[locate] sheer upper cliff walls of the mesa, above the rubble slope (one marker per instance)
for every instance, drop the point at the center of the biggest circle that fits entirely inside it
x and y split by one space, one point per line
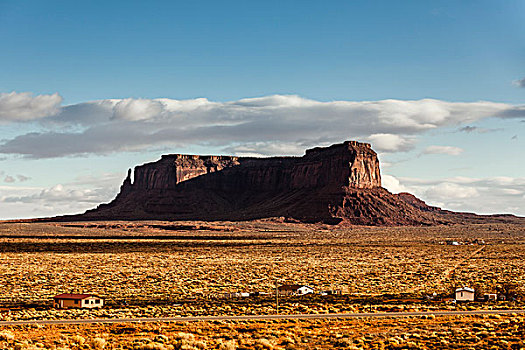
349 164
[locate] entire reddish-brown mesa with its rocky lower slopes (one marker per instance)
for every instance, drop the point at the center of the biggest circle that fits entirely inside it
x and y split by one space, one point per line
340 183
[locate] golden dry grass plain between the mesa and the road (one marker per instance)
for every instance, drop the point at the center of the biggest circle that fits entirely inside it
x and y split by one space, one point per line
161 264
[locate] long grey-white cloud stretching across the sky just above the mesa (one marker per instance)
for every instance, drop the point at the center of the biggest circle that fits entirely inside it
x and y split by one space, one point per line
254 125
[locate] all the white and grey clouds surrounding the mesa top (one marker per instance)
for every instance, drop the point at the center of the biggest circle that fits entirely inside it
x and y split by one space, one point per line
270 125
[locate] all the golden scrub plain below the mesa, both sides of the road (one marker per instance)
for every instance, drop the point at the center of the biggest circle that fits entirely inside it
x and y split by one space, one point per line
149 269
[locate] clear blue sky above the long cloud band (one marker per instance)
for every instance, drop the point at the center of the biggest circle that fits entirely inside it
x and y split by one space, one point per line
364 50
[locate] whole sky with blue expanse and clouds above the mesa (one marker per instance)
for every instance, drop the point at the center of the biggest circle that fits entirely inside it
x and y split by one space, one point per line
90 89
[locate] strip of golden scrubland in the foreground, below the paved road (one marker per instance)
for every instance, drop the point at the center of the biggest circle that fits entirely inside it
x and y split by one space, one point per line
431 332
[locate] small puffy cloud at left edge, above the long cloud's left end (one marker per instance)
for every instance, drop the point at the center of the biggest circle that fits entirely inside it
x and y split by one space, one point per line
24 106
